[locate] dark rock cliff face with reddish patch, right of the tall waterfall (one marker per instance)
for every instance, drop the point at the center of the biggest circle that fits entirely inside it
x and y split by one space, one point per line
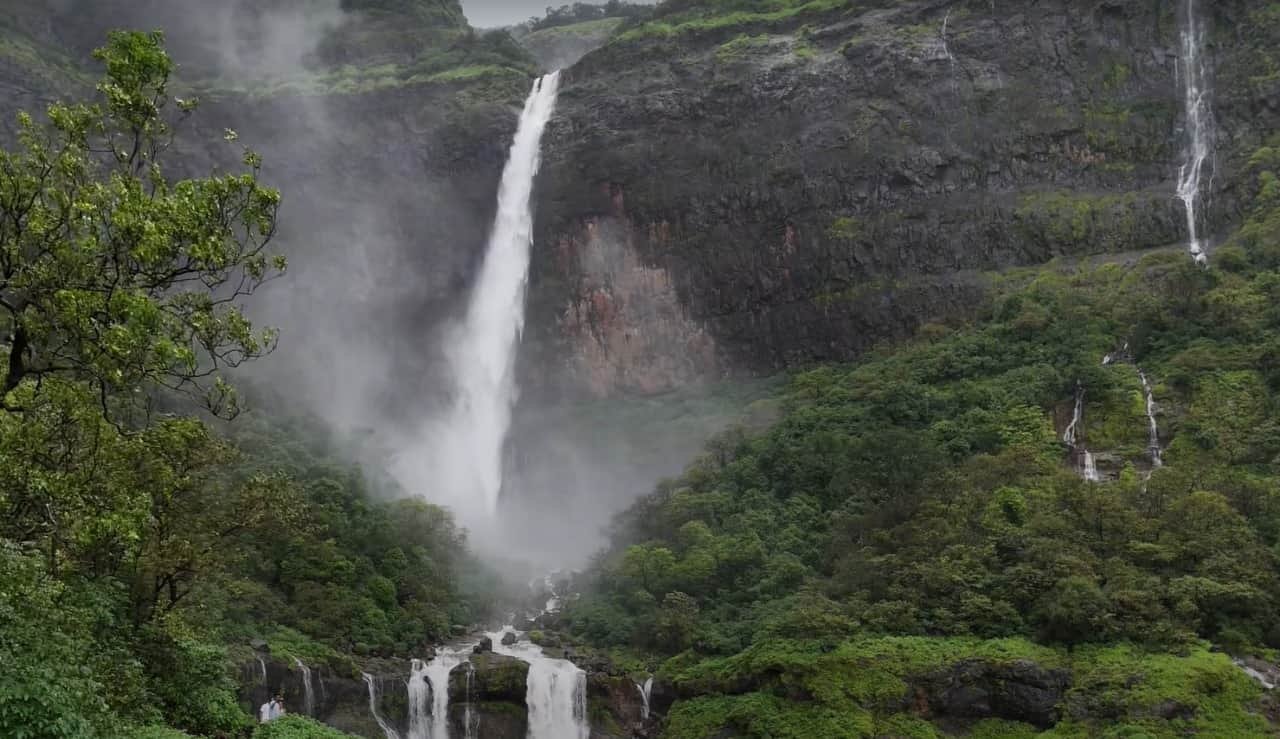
767 190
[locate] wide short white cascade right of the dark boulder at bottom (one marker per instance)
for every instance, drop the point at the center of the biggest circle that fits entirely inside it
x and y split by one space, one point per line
556 692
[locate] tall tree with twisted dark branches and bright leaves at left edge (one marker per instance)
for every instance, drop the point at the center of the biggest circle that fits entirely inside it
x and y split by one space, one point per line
113 276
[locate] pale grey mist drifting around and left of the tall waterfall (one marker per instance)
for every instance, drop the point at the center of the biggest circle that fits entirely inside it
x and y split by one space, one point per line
385 231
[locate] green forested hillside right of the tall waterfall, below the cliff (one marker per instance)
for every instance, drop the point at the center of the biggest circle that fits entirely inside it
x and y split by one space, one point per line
916 512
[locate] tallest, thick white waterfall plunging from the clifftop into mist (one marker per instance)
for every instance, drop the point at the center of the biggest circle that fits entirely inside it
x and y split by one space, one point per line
482 353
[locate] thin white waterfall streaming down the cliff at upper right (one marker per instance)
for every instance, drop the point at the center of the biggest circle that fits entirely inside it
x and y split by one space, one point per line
1200 124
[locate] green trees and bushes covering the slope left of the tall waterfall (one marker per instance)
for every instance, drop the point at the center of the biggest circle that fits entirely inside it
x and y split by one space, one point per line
144 537
